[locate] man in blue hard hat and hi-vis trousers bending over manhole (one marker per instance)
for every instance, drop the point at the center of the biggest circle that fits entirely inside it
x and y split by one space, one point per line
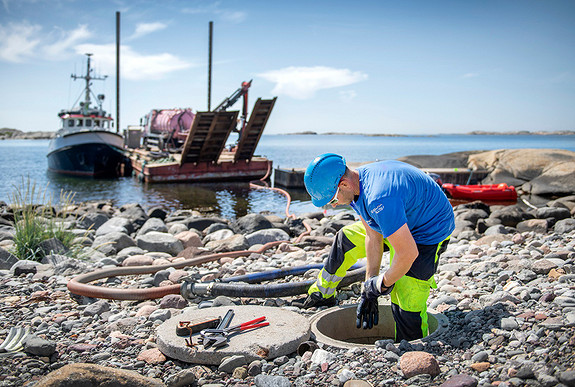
400 208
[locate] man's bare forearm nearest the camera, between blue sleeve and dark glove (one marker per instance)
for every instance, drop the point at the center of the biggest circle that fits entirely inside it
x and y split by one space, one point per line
405 254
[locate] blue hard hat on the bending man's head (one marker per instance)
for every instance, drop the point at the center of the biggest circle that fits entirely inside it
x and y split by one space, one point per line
322 177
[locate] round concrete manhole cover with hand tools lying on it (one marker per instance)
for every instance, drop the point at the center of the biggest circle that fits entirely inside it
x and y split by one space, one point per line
287 330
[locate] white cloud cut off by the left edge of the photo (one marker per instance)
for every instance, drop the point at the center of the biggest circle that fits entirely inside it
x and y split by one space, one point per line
18 41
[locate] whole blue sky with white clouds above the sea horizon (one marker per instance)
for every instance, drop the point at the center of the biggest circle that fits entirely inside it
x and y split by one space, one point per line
381 66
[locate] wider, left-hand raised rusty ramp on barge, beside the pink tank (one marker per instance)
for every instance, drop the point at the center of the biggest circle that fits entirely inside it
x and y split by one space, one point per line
207 137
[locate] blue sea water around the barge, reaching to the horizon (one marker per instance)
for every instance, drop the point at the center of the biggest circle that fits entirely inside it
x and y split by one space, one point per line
25 160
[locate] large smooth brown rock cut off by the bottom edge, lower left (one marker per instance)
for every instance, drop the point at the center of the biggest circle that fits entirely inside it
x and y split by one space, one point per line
80 374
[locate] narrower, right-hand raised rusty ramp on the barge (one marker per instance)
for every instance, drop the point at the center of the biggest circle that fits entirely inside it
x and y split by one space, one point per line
250 136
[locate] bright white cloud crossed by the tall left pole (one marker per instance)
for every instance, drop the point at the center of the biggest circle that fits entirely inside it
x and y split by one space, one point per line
133 66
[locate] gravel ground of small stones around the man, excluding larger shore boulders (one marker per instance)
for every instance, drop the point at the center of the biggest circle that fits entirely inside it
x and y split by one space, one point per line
507 291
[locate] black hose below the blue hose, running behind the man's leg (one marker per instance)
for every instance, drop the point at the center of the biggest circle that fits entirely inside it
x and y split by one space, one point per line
191 290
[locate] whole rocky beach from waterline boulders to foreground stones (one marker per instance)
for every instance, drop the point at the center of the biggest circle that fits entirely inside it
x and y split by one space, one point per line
506 285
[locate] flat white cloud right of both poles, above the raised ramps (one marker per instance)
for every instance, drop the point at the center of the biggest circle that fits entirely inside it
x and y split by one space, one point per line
304 82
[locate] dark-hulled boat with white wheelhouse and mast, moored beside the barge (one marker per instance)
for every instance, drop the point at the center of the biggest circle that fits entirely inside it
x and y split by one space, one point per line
86 144
